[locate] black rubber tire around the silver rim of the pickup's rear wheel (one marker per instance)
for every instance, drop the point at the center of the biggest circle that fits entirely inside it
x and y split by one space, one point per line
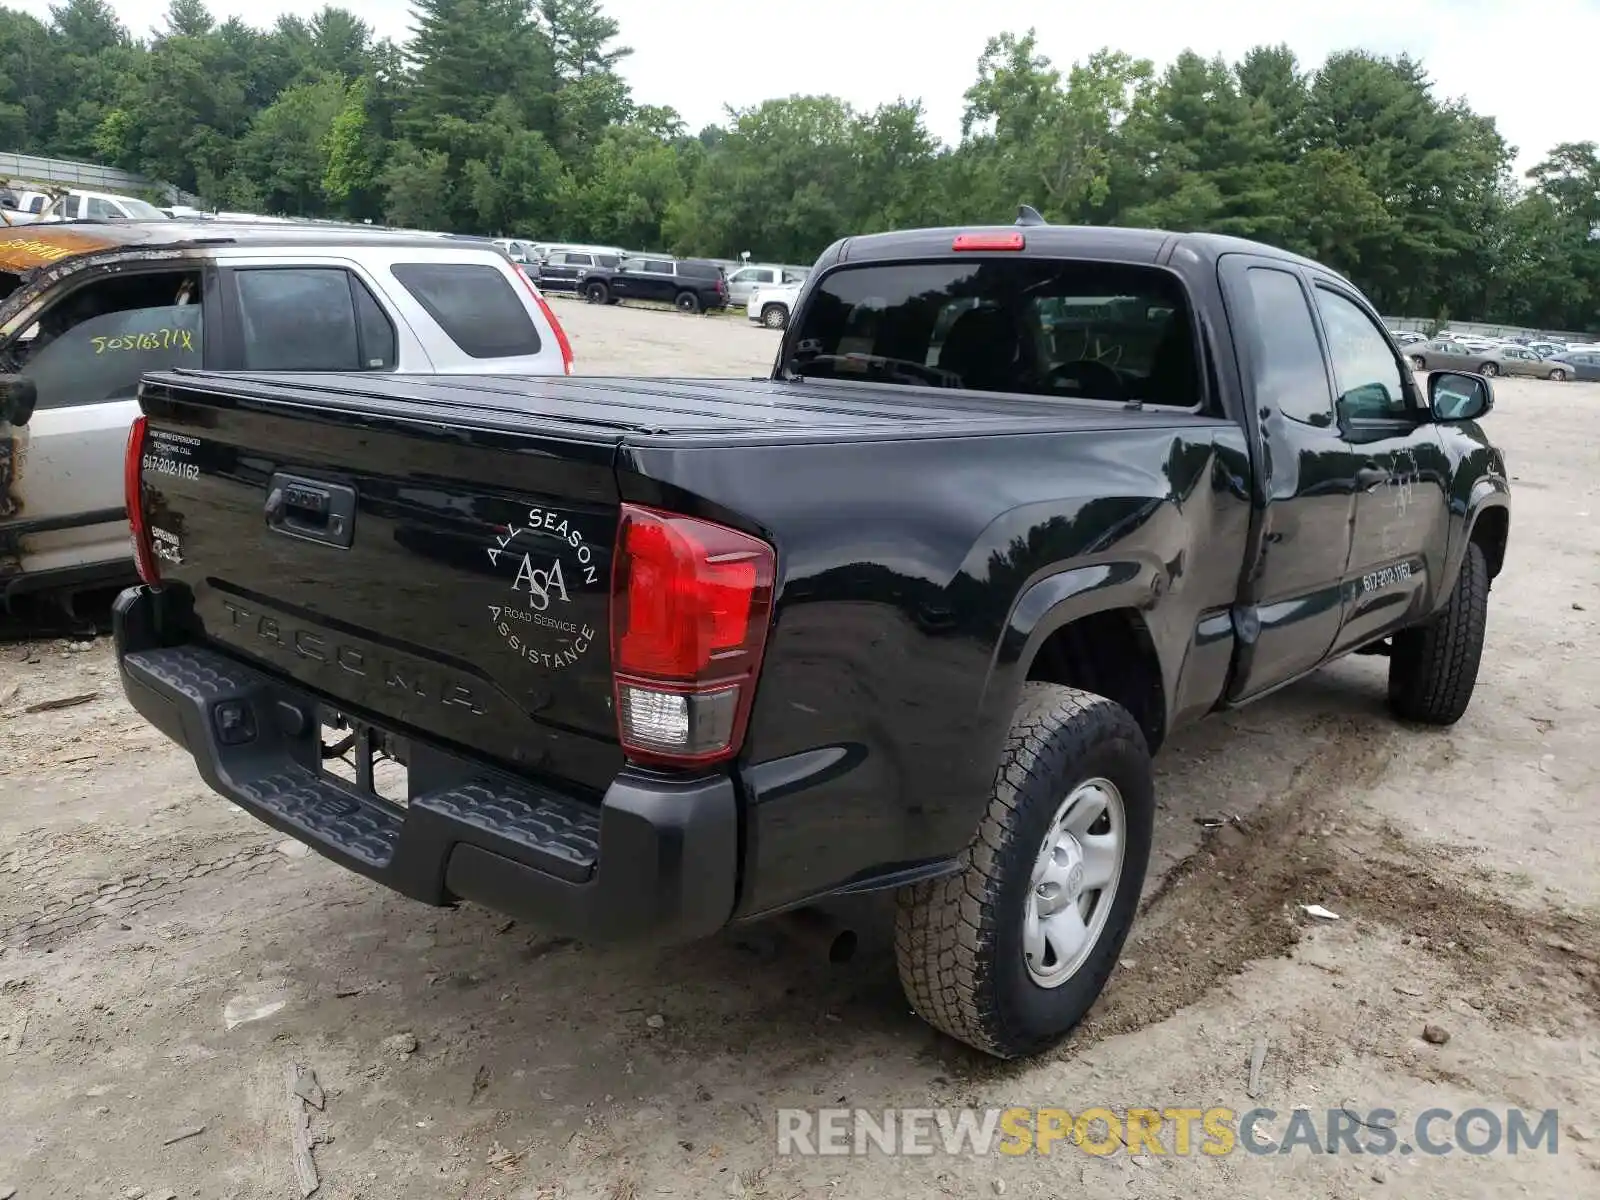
959 938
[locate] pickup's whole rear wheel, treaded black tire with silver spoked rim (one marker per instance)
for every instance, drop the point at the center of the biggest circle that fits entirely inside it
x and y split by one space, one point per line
1014 950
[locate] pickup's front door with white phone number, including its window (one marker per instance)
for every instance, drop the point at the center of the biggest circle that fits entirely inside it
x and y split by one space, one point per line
1401 473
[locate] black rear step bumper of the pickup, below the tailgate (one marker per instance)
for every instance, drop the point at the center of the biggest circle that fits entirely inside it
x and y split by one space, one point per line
657 860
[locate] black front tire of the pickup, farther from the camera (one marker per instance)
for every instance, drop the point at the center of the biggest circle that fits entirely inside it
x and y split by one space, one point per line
1434 668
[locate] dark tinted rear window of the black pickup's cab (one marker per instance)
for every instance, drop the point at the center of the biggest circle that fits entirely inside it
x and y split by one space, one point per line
1089 330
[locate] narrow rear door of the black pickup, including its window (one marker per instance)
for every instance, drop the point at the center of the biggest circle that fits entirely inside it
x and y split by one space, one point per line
1292 601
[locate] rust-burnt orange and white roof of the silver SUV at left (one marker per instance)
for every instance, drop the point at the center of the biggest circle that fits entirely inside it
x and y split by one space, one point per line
39 246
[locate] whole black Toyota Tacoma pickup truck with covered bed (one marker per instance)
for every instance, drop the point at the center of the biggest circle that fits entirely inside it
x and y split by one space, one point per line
642 658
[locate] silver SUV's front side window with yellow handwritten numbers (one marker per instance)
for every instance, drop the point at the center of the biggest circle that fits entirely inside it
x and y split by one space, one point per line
95 345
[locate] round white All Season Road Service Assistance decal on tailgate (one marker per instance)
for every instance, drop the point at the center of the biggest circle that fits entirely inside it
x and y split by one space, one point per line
548 561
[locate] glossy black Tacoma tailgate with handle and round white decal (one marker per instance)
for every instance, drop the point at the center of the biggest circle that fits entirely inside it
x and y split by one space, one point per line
431 577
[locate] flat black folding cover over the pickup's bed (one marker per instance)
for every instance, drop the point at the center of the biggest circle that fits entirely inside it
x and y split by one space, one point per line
607 409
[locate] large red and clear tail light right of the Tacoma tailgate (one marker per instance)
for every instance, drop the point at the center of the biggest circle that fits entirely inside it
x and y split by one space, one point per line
690 607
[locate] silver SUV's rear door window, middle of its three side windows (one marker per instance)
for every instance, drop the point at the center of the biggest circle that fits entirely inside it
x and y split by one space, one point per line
311 319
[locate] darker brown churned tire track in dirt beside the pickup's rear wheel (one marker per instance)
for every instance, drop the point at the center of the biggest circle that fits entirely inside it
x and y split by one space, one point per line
1234 902
